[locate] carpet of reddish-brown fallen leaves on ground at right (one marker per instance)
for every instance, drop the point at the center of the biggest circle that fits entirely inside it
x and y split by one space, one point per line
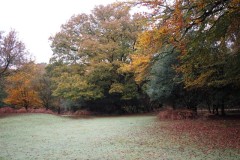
210 134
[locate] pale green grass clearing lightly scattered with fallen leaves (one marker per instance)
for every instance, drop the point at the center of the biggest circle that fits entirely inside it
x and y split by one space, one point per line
43 136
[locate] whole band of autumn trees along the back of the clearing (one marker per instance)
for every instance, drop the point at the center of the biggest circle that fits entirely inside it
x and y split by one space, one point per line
181 54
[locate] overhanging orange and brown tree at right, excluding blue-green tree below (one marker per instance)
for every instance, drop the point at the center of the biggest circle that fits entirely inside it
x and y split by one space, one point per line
206 33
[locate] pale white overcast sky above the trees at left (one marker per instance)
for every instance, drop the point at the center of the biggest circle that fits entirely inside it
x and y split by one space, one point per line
36 20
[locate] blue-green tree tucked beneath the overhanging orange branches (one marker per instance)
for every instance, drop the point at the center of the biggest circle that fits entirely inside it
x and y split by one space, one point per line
162 84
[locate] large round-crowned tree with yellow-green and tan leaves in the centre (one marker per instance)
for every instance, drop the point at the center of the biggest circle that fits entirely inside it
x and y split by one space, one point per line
97 44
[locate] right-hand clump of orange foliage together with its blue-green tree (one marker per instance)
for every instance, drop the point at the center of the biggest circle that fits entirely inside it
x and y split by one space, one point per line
203 37
